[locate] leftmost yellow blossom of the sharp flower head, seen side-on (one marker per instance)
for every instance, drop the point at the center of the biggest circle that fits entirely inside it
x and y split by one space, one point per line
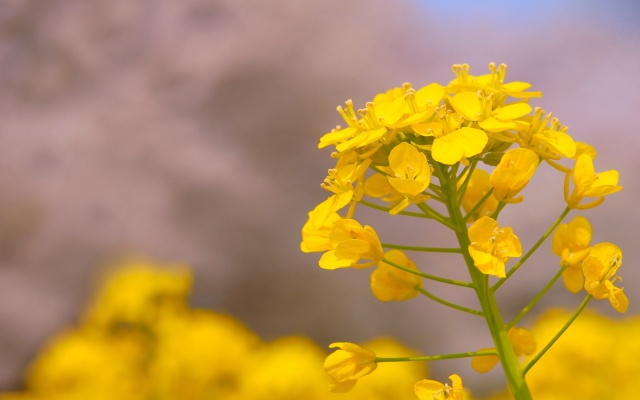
316 231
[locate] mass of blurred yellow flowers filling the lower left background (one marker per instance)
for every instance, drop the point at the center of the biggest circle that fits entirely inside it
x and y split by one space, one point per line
139 340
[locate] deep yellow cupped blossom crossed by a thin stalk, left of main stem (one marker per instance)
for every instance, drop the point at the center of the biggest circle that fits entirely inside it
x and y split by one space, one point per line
389 283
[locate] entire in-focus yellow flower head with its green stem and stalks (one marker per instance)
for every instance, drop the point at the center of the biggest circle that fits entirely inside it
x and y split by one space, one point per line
473 146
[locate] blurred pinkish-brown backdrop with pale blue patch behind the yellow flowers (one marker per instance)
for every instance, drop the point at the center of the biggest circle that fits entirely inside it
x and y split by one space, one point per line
187 131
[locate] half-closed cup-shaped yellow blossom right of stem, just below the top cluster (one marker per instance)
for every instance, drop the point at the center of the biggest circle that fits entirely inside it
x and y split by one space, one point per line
516 168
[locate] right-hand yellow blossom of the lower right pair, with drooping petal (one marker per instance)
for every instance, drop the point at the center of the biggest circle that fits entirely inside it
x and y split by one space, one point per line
599 268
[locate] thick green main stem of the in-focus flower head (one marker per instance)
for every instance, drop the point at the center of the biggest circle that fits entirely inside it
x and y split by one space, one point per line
497 327
